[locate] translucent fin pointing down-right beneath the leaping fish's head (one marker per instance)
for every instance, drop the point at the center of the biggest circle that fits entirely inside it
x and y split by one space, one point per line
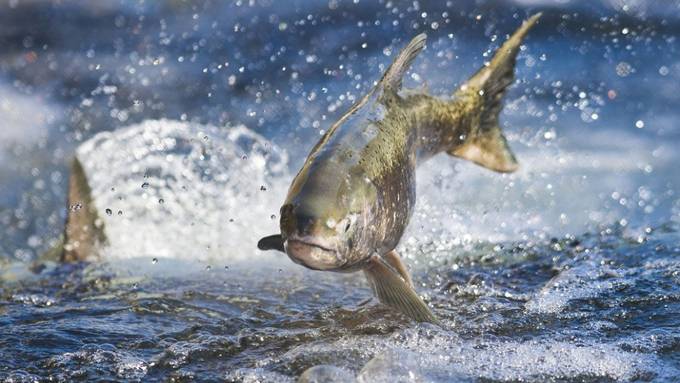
394 291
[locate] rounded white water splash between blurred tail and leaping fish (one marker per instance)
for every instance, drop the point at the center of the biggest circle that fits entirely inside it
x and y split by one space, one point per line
218 188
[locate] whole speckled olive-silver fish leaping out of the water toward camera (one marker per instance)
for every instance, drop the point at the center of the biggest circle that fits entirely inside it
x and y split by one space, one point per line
351 201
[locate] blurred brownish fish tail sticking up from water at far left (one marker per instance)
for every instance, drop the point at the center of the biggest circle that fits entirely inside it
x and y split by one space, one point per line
84 231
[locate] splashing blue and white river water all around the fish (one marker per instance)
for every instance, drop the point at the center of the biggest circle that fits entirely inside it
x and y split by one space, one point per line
190 119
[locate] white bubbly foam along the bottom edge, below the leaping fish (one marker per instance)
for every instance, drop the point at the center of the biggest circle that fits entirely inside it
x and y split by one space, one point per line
428 354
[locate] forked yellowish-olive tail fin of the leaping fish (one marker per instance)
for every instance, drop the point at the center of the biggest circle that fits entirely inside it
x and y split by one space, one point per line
487 146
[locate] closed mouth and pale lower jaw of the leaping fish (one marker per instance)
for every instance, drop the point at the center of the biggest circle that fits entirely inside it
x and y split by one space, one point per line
312 253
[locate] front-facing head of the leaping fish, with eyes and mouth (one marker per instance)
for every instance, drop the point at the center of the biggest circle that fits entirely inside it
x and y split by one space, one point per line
327 229
